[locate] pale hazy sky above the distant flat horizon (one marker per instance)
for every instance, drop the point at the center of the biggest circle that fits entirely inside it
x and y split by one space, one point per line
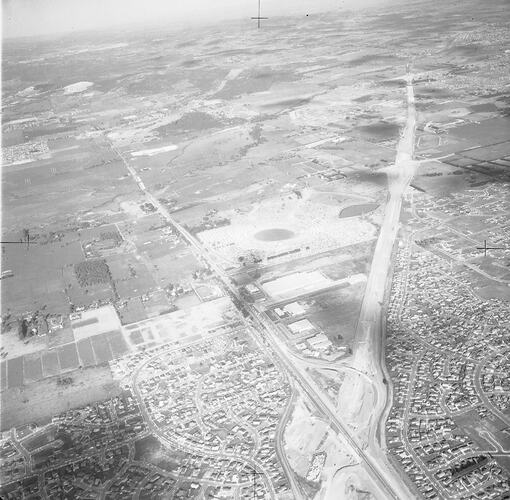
35 17
